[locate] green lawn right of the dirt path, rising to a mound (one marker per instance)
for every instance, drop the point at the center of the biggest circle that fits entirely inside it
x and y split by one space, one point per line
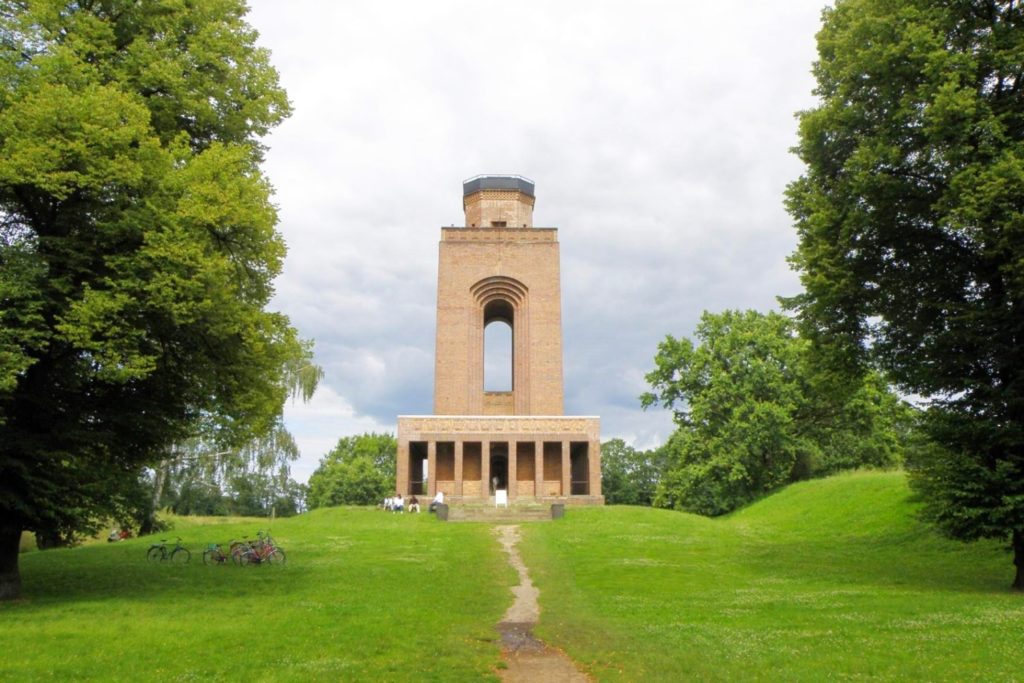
827 580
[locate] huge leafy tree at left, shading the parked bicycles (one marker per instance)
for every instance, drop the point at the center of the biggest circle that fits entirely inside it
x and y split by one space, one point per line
138 251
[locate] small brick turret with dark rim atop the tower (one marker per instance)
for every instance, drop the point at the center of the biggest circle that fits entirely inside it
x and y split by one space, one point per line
498 201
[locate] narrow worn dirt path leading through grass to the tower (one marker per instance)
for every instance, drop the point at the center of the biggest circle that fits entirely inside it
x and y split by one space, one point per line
528 658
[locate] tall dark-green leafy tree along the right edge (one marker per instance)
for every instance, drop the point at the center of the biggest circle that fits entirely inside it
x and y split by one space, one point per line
910 216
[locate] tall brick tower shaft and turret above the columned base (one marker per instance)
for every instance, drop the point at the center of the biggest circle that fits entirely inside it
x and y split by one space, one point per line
499 269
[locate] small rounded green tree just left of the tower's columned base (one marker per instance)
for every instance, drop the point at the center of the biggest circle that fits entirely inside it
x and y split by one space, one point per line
360 471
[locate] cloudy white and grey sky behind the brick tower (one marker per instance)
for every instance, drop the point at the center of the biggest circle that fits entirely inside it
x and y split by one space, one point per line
658 135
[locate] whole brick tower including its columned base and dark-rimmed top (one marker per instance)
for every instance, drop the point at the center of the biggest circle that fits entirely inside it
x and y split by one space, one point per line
511 445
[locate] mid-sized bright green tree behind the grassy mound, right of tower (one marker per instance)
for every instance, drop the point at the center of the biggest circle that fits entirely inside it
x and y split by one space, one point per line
753 416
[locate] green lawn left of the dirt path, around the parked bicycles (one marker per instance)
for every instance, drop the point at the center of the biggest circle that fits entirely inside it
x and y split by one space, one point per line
366 596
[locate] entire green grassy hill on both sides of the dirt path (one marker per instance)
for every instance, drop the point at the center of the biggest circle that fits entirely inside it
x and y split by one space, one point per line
830 579
